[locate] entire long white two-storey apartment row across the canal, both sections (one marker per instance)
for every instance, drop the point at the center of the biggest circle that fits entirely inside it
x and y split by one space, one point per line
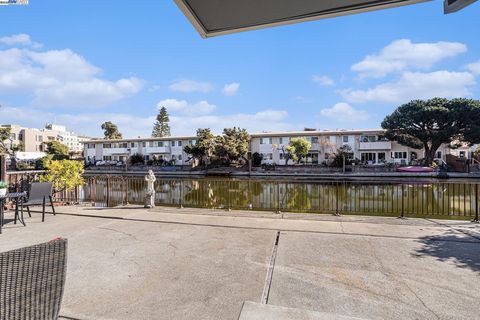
369 146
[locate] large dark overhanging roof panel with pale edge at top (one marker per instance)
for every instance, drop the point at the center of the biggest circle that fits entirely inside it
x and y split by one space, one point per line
213 17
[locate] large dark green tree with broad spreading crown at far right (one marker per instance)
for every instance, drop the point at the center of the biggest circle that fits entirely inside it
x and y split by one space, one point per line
428 124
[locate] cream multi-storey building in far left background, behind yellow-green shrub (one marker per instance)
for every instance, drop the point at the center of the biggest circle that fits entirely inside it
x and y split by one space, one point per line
33 140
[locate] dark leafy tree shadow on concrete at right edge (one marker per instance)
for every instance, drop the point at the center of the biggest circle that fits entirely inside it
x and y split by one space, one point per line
455 248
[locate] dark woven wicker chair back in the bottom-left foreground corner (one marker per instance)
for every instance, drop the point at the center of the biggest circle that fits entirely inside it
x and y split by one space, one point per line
32 281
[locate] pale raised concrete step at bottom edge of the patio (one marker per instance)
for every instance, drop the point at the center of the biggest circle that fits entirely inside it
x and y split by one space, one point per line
257 311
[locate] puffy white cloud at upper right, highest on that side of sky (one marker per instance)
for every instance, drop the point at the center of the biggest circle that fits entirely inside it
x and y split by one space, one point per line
403 55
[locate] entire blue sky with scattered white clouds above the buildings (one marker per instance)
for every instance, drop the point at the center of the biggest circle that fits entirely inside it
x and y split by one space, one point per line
81 63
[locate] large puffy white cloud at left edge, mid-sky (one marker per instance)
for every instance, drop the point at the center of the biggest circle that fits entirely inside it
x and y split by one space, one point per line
60 78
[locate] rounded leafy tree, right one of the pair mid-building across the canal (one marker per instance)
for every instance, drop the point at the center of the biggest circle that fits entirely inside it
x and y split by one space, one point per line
232 146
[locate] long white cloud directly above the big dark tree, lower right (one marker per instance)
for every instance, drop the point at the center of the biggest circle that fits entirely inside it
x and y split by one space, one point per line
415 85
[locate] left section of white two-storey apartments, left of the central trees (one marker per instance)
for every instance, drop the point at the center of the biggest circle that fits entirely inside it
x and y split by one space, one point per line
168 149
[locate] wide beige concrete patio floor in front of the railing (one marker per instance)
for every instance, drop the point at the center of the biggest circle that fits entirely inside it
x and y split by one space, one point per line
167 263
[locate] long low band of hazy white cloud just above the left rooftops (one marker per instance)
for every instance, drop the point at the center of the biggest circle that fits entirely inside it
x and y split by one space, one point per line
132 126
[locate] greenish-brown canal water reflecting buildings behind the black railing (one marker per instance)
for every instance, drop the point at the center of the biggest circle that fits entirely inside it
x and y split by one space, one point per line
411 198
